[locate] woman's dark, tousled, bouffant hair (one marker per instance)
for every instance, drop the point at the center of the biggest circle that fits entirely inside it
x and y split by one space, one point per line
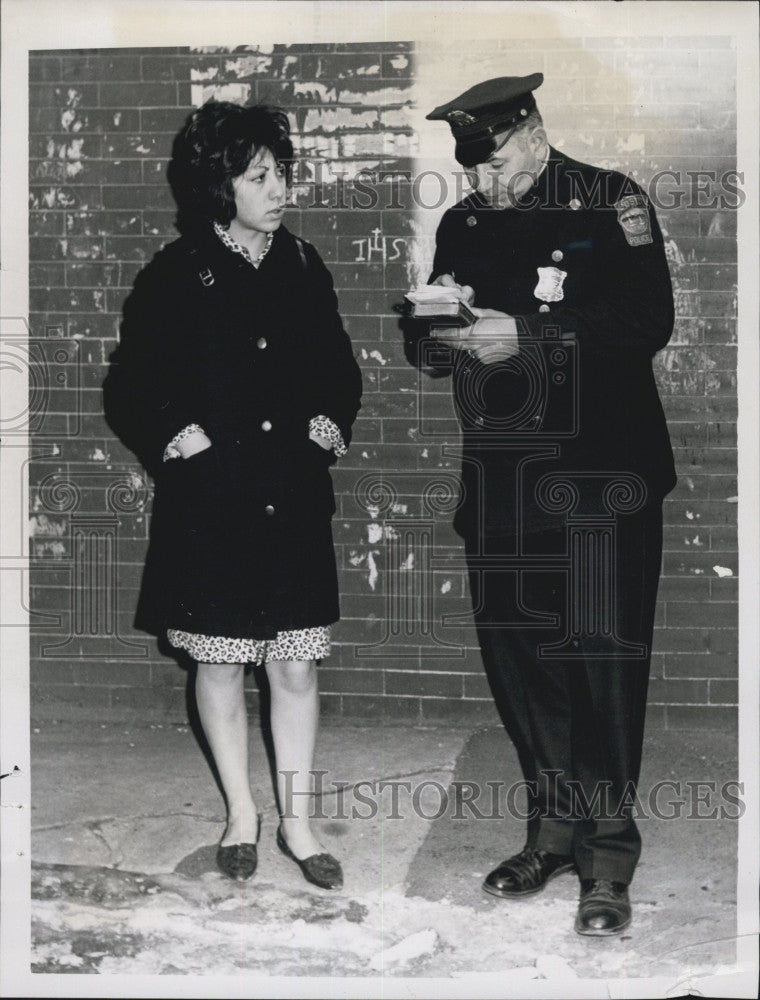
216 144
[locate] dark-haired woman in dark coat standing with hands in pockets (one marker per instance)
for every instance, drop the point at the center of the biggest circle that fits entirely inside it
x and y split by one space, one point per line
235 384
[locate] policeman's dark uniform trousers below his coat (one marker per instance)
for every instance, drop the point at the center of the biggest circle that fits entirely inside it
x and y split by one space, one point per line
576 717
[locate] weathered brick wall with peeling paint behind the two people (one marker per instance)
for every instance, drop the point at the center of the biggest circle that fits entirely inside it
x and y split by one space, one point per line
101 127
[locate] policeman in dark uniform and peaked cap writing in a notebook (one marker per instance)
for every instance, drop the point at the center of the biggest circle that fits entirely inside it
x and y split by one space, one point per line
566 460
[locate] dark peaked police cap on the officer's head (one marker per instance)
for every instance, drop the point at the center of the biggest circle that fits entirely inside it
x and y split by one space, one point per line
486 110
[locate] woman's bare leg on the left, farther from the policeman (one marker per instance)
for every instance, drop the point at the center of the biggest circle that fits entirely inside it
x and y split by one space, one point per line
221 706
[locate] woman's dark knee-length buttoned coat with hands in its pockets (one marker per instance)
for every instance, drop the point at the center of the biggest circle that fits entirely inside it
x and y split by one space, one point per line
240 541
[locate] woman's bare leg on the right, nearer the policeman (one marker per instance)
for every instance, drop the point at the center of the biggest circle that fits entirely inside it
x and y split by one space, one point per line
294 718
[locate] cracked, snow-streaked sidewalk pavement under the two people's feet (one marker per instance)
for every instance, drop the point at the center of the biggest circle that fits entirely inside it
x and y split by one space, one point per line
125 823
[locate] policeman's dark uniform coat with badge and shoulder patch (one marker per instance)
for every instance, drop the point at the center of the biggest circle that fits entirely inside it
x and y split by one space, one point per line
592 404
